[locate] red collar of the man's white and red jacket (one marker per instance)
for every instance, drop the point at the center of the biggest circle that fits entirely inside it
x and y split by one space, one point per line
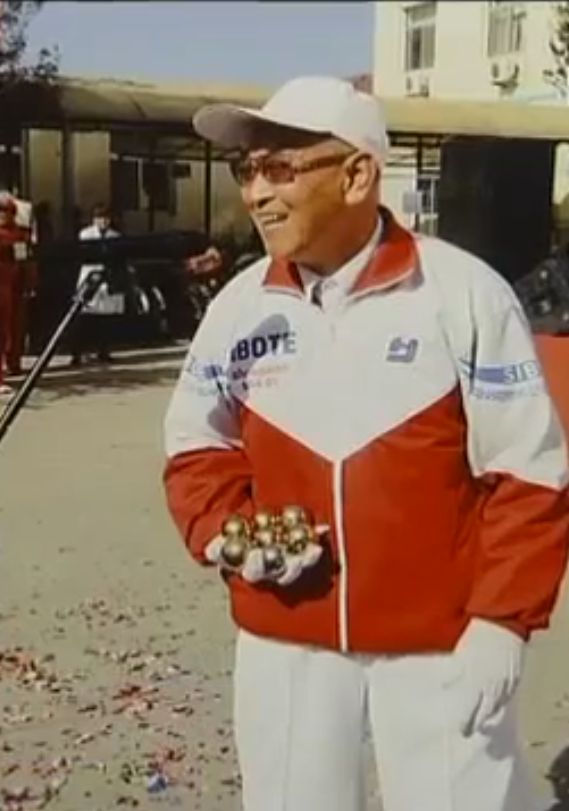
394 259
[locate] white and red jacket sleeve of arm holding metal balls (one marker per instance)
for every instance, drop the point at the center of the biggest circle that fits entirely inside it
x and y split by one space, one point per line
207 475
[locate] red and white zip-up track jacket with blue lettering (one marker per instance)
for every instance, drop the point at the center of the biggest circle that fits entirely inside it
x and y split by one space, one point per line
415 422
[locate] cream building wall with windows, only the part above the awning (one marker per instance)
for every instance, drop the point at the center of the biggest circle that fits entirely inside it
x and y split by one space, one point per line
475 50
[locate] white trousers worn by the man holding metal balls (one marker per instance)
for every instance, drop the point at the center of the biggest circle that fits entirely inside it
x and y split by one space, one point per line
300 720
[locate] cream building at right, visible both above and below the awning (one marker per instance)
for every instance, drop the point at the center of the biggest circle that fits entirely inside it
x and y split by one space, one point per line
479 51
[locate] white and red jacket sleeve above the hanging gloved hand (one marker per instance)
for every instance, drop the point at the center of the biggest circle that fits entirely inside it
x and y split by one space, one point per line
516 447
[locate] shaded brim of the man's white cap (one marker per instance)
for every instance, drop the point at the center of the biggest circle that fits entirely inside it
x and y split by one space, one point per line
231 127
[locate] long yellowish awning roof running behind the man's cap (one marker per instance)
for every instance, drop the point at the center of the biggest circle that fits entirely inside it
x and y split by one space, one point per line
104 103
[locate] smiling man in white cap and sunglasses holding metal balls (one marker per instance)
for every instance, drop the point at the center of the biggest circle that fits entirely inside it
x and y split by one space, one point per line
388 383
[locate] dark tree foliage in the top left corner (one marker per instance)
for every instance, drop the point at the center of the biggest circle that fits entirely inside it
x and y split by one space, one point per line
15 16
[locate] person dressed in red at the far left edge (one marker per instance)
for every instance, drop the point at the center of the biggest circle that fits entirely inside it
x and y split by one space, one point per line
13 252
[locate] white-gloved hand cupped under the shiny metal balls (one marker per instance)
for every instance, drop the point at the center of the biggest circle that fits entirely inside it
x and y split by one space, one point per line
254 569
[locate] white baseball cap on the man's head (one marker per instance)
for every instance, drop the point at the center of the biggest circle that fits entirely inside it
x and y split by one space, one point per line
319 104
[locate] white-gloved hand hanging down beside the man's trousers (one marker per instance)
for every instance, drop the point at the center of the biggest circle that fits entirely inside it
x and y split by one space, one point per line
491 659
